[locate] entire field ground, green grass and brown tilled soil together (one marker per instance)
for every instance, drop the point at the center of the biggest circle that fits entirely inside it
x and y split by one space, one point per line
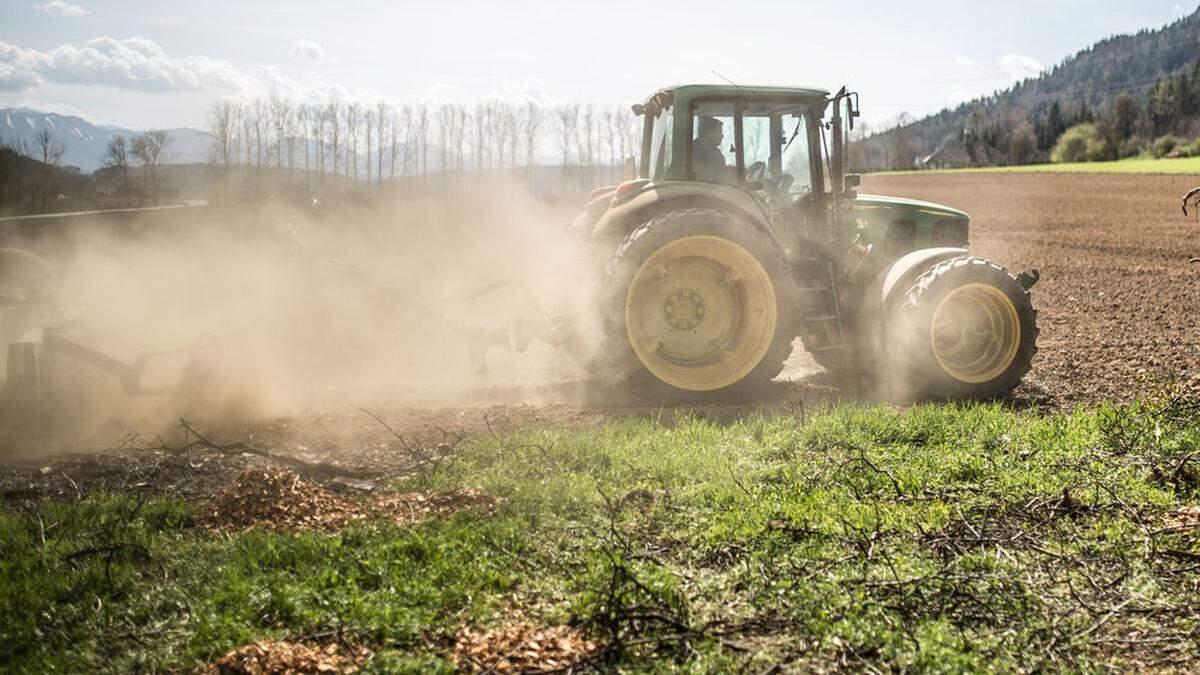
538 529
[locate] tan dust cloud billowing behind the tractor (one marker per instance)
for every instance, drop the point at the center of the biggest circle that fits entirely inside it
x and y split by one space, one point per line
280 309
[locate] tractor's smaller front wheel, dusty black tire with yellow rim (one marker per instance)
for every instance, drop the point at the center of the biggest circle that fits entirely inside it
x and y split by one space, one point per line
965 330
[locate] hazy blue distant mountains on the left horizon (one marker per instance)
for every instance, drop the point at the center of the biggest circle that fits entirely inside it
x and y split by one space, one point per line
86 141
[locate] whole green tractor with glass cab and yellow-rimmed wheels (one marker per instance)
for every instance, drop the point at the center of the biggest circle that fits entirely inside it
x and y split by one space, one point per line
743 231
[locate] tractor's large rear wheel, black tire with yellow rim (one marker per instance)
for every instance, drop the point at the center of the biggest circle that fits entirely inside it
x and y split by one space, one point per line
700 307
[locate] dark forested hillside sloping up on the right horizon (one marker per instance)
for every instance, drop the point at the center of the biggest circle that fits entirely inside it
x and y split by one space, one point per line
1081 89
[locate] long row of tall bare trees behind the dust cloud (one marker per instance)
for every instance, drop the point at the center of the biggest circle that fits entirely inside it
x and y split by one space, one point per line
337 147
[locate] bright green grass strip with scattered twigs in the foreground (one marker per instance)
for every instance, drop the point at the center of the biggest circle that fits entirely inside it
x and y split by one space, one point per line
939 539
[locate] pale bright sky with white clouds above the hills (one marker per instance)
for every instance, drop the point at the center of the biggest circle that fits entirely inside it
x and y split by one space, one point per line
163 63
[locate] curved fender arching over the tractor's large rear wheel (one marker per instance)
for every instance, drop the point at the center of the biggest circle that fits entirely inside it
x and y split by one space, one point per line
659 199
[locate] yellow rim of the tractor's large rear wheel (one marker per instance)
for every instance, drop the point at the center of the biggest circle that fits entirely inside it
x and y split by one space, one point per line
700 314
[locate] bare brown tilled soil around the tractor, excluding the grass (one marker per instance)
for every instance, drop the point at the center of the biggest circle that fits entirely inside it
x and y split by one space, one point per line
1118 312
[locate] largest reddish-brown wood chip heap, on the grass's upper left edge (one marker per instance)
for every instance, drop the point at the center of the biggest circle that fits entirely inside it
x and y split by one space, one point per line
284 501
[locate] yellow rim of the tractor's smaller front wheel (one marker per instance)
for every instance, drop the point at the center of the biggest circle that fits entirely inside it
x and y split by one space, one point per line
976 333
